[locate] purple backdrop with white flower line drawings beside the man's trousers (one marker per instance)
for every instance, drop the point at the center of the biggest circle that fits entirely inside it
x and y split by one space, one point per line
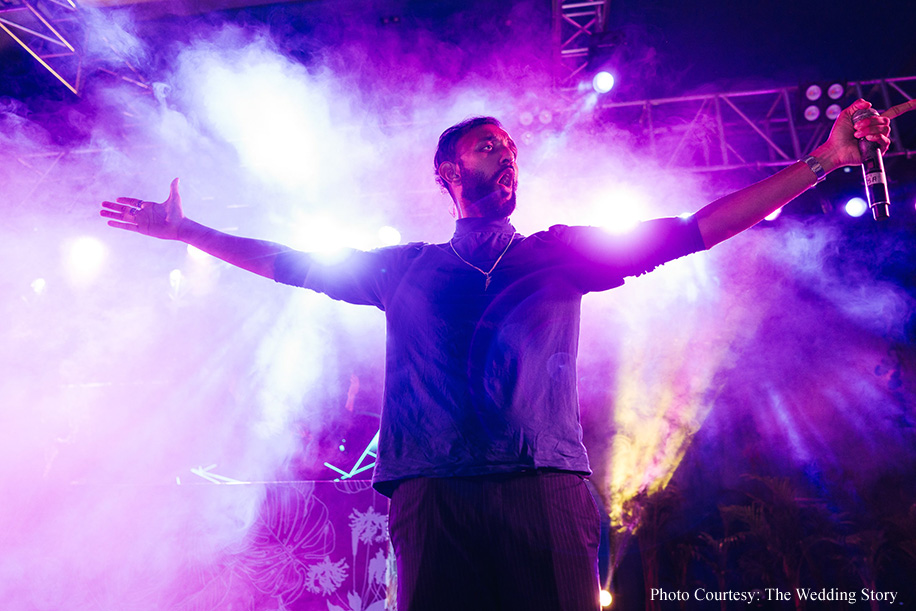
314 546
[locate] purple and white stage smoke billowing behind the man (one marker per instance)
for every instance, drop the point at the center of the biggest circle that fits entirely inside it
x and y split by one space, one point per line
133 368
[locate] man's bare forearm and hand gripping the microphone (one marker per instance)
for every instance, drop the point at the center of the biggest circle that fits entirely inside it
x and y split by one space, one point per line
738 211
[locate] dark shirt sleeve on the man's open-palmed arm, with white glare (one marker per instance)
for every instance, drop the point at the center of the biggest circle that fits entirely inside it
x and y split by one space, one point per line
354 276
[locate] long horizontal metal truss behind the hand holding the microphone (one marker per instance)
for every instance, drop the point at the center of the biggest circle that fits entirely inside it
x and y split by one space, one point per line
747 129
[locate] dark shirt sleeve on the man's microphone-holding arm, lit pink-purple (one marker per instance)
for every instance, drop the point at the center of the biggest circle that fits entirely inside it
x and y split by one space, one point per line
648 245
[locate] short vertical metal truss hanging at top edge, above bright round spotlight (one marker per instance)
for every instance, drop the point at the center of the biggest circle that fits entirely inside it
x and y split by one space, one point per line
575 23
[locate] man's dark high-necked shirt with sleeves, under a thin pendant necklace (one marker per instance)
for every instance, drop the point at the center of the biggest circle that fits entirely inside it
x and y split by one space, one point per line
484 381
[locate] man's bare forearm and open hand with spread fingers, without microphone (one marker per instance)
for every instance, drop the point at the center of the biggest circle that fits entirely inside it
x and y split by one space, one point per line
167 221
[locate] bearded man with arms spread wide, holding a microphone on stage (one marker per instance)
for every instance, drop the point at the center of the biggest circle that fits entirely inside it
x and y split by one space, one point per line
481 448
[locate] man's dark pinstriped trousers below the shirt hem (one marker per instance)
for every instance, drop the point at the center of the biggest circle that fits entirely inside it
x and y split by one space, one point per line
526 542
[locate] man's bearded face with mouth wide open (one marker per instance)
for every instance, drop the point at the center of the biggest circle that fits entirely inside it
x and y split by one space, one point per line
489 174
